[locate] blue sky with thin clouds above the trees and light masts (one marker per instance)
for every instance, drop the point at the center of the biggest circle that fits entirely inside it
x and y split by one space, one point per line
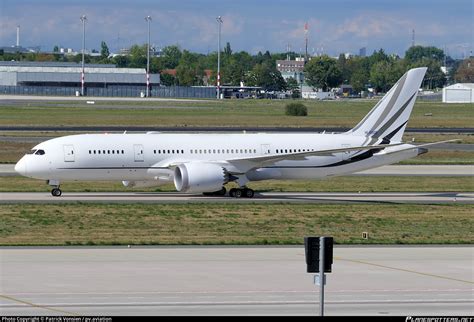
334 27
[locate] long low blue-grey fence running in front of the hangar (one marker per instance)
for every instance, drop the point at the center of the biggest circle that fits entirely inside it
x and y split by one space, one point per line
112 91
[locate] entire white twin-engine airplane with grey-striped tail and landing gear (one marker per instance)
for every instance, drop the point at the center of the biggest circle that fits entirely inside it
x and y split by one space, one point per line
206 162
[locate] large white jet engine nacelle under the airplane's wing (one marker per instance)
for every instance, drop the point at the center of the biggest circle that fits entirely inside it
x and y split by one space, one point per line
197 177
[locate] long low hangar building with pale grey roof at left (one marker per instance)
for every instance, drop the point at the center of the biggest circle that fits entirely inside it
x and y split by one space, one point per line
64 78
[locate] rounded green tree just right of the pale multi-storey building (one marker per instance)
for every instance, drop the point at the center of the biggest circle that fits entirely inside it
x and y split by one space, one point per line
322 72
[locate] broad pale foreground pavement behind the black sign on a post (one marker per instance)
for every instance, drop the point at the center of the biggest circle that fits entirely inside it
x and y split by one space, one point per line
234 281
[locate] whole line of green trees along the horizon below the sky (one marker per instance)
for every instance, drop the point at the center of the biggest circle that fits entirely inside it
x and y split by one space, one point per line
379 70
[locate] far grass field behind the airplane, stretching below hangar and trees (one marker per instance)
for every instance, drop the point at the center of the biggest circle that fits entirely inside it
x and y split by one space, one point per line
249 113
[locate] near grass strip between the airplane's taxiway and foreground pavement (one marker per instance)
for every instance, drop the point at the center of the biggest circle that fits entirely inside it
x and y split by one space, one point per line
232 224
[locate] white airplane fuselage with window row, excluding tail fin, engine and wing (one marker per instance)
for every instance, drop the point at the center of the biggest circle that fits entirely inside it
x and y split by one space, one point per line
143 157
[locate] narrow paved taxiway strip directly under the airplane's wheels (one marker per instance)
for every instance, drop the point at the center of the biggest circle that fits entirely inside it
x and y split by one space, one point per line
264 197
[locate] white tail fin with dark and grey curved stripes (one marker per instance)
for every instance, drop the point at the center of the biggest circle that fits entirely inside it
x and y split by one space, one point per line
388 119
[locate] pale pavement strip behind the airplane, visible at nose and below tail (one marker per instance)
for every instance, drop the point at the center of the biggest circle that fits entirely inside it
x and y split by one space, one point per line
389 170
